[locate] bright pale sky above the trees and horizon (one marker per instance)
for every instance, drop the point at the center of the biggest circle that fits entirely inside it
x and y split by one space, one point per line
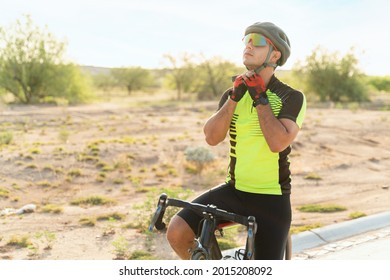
126 33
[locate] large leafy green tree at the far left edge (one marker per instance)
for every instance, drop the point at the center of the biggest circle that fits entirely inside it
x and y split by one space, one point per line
32 66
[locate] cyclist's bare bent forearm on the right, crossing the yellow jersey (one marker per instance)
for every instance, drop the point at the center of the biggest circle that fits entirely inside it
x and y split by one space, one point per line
279 134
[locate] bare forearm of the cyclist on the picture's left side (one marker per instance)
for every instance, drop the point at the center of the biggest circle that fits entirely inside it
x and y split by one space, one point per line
217 126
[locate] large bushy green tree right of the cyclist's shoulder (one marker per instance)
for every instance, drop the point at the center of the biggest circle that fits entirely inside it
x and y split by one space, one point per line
333 78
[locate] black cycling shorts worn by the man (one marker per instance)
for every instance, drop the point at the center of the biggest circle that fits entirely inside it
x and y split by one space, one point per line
272 212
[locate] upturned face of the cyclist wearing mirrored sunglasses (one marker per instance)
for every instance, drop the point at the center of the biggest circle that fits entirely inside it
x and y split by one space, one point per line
256 51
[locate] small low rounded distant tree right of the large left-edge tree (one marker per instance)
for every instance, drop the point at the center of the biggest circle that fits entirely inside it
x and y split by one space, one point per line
133 78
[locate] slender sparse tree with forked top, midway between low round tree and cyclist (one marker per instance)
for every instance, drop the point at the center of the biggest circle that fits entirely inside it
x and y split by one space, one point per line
182 75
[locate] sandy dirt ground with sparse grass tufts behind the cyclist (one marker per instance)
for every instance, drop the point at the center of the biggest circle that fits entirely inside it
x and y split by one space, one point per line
123 153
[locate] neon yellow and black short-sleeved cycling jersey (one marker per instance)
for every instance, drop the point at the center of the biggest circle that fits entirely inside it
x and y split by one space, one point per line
253 167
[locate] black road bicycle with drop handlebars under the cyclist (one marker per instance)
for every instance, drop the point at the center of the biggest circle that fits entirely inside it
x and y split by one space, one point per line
206 245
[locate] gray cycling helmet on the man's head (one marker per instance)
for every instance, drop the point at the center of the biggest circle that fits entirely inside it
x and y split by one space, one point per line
276 35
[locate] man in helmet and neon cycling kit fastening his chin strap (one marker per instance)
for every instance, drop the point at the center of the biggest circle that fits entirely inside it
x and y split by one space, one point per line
262 116
